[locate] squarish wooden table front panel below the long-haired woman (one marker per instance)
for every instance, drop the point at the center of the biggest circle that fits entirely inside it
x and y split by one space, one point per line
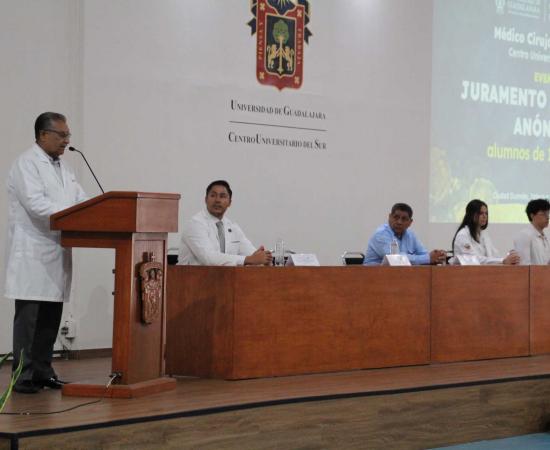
479 313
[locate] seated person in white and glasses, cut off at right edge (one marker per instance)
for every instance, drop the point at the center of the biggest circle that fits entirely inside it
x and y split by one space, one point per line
531 243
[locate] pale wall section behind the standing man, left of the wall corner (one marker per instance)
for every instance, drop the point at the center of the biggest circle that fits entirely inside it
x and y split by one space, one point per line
40 71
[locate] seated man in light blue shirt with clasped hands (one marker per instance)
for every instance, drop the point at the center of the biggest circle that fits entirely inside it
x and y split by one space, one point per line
397 231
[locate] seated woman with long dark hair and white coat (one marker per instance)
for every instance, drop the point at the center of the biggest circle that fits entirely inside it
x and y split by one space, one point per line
472 238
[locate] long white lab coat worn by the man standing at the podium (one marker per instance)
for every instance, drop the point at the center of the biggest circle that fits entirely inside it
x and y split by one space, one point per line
37 267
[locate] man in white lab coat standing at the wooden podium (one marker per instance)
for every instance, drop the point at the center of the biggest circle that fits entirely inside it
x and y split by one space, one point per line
38 269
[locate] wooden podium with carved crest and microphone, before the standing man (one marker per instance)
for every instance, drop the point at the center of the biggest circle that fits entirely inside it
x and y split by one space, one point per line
136 225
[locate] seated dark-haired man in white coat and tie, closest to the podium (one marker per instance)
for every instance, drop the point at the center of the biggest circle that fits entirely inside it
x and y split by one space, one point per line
211 239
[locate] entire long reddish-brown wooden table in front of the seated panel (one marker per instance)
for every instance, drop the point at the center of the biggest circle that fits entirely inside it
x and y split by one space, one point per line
248 322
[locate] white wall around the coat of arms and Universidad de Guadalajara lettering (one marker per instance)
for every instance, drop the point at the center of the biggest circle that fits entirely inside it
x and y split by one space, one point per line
158 79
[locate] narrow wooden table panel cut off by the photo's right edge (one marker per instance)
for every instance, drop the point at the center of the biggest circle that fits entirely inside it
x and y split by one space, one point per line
540 309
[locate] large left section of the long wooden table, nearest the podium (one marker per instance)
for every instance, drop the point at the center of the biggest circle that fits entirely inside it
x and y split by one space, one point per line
255 322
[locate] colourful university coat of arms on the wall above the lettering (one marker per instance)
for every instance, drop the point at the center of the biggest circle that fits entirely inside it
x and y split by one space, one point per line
281 30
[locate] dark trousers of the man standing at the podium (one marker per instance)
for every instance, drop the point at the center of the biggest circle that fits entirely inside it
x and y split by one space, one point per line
35 328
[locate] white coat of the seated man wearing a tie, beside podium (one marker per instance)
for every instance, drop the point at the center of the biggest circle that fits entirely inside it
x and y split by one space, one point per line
200 244
